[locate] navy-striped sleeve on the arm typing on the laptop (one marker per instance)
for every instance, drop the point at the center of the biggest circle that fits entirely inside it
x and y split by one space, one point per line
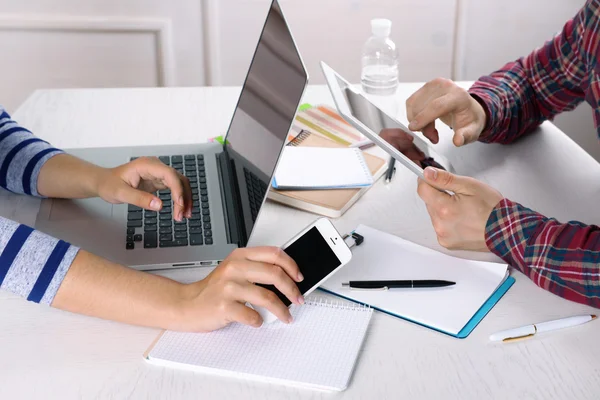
22 156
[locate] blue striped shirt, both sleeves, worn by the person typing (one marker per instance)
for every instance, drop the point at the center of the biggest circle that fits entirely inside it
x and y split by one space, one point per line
32 264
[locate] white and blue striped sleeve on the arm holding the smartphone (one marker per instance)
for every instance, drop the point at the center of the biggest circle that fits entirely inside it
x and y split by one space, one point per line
32 264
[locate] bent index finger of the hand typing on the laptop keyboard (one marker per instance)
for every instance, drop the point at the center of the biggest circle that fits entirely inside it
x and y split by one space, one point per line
153 169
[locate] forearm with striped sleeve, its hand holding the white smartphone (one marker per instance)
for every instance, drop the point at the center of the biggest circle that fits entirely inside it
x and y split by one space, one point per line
45 270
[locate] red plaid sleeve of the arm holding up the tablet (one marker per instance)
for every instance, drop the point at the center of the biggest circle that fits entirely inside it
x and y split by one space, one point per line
561 258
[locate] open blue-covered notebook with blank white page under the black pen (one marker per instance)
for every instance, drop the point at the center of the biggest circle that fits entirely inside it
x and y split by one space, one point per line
455 310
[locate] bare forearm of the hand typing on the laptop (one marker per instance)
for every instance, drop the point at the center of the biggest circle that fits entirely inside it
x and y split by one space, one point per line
65 176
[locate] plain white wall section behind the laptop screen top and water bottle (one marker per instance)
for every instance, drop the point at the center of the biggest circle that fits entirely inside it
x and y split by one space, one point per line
335 31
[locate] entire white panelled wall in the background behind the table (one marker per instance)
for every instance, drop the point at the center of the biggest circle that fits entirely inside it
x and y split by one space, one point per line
115 43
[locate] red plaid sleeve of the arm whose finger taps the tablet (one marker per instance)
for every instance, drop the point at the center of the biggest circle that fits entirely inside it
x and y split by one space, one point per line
525 93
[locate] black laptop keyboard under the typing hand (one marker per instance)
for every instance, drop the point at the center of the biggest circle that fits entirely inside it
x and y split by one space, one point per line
151 229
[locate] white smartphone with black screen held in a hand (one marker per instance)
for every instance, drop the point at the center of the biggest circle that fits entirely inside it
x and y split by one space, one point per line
319 251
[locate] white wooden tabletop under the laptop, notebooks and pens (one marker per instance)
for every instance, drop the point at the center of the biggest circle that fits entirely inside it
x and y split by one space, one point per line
46 353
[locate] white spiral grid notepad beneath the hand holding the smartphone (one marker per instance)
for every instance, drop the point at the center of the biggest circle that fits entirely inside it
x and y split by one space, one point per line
318 350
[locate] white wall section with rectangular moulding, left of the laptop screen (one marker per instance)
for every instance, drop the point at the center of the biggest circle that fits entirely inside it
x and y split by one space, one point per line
98 43
